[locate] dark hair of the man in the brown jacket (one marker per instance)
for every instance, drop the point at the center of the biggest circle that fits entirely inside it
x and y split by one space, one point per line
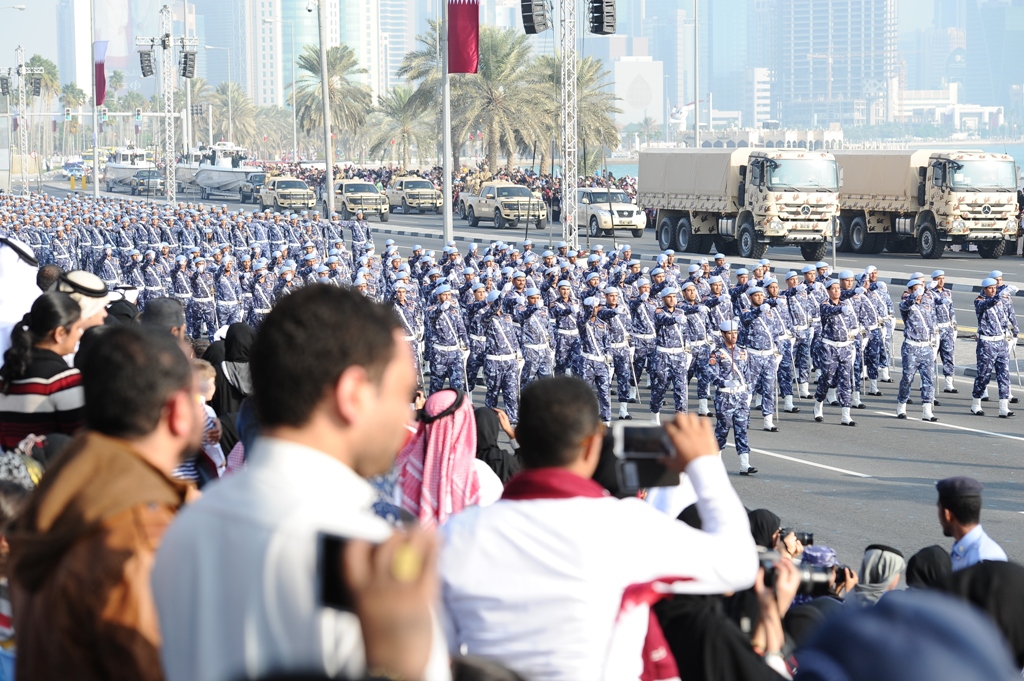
129 378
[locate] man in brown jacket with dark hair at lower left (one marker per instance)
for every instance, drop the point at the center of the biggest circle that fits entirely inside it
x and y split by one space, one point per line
82 551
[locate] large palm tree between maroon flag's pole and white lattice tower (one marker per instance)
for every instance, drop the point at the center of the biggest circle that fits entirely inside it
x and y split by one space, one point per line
502 100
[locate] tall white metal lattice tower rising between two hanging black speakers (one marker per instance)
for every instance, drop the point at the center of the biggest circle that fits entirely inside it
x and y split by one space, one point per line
571 233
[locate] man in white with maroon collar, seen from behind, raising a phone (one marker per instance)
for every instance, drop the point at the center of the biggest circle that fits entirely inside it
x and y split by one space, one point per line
556 580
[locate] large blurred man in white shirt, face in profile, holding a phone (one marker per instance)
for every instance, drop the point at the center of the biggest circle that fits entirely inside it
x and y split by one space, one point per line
238 580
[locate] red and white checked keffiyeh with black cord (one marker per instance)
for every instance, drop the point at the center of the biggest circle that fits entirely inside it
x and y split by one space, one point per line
437 476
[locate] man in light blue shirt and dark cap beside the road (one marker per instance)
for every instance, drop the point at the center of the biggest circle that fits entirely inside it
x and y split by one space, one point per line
960 516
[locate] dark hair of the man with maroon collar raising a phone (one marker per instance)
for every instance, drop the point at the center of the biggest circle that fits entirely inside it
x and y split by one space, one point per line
556 414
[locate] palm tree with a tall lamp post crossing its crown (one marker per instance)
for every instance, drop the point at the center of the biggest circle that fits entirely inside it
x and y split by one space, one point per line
351 102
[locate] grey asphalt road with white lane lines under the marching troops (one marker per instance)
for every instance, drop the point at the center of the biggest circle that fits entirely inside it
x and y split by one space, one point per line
860 486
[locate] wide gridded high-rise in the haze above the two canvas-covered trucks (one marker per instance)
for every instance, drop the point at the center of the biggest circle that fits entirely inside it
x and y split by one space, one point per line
836 62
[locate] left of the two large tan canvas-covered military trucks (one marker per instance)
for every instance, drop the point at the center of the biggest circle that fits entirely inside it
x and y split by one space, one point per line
741 201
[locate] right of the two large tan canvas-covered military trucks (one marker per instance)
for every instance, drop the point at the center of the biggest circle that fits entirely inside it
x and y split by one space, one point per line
921 201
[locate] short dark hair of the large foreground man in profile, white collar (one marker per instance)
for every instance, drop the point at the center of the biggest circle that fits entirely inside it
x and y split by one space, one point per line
306 345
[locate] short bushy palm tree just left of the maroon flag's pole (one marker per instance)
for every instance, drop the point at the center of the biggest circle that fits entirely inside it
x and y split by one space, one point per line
401 124
